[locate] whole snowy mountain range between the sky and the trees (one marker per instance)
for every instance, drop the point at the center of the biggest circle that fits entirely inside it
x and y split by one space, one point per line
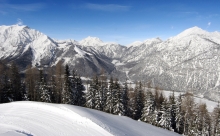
186 62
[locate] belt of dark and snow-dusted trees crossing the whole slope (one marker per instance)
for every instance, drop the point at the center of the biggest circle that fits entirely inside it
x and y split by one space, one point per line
144 103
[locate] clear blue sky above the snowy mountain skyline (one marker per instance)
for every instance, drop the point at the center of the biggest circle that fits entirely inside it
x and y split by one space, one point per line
121 21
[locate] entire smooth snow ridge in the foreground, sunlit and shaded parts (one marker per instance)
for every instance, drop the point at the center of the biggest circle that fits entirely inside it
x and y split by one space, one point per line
43 119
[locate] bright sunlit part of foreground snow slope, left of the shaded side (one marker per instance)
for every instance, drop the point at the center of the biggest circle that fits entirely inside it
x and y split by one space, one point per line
45 119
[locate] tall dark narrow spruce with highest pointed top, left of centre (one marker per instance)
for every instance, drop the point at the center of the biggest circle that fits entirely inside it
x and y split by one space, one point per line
67 92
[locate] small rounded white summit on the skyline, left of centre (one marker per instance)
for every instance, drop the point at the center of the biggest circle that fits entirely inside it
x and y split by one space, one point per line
91 41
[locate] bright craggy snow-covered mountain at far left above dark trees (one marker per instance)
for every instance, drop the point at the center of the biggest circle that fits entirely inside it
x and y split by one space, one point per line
26 45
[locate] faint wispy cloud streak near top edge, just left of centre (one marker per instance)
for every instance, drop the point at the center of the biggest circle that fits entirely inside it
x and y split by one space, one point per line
107 7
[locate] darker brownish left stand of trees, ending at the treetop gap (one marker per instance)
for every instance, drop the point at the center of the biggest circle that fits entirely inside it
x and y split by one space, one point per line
55 85
